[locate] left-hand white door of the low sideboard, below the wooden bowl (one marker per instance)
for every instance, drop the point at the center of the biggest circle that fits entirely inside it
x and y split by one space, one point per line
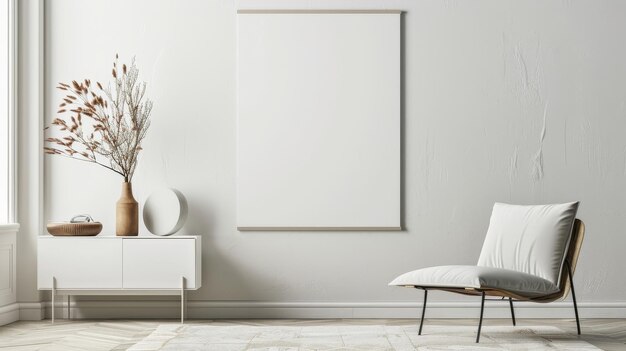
80 263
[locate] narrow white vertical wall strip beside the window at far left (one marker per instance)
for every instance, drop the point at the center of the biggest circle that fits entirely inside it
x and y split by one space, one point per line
29 155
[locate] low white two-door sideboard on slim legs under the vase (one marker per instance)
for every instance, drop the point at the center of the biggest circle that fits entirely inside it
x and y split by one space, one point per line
112 265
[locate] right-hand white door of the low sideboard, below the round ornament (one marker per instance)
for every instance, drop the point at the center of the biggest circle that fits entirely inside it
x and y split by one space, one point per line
159 263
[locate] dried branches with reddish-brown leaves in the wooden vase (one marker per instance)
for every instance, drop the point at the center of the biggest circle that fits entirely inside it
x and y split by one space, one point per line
118 121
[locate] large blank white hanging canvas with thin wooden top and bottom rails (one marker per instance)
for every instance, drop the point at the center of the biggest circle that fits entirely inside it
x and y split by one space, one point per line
318 134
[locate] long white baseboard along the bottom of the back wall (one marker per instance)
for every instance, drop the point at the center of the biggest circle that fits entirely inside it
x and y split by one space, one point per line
323 310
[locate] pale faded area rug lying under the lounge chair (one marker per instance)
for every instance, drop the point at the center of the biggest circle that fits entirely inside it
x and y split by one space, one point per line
356 337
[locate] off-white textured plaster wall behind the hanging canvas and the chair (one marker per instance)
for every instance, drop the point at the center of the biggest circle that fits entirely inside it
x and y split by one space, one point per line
514 101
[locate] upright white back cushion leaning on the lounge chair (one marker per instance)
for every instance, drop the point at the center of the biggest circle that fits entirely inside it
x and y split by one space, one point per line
529 239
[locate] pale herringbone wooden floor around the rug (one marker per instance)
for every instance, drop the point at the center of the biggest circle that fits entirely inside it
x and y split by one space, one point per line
606 334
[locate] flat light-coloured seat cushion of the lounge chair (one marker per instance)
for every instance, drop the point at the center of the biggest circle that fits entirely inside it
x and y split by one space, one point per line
522 284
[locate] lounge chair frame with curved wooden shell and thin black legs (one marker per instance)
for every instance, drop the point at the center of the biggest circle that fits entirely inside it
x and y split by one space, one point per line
566 284
